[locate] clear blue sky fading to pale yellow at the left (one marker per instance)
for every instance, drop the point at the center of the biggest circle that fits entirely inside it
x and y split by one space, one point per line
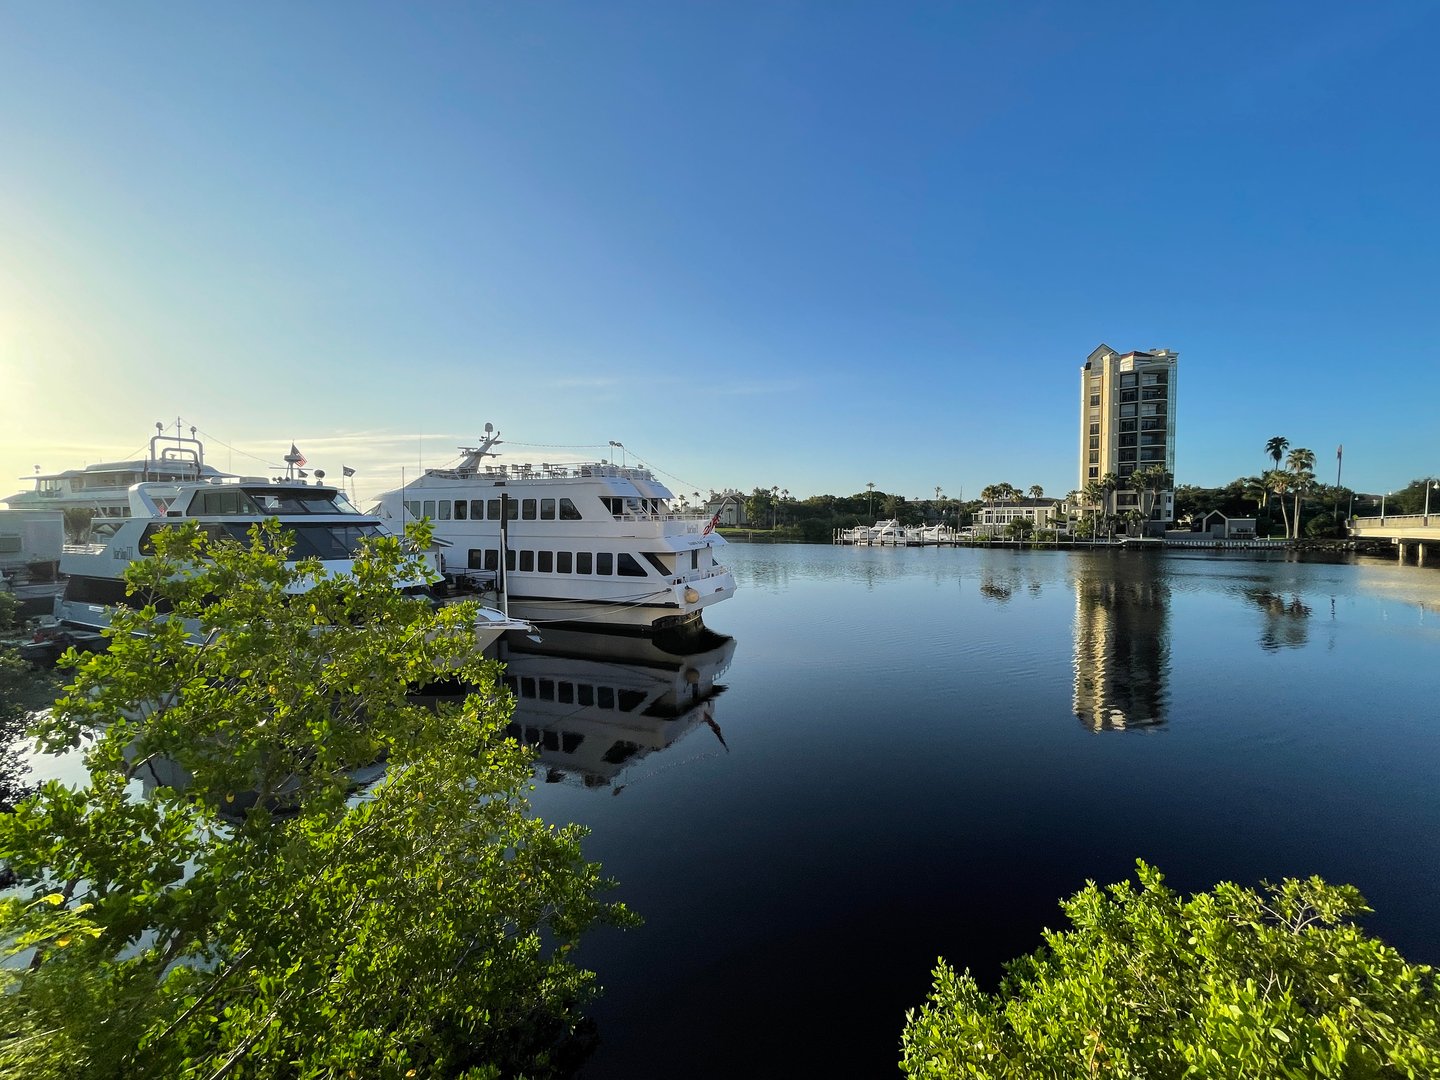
806 246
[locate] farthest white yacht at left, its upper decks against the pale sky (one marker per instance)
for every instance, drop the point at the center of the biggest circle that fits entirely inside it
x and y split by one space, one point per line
104 487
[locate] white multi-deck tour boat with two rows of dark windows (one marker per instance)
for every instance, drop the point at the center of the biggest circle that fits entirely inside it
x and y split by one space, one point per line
590 545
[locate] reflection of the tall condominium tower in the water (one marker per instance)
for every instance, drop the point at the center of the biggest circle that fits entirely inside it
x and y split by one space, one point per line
1121 646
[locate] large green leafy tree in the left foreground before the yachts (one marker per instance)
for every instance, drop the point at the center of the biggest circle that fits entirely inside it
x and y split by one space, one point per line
267 918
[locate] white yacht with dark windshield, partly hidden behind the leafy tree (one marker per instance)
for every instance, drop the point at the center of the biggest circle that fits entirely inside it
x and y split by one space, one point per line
325 525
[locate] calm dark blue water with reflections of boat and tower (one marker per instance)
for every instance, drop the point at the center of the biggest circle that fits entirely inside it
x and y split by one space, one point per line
909 754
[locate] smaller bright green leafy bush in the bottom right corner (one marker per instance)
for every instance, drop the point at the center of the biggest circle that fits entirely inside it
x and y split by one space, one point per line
1232 983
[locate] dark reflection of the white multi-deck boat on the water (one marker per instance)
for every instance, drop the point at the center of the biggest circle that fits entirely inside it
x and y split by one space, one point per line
594 705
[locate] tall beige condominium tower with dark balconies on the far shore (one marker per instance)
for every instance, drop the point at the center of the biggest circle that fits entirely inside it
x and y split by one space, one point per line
1128 423
